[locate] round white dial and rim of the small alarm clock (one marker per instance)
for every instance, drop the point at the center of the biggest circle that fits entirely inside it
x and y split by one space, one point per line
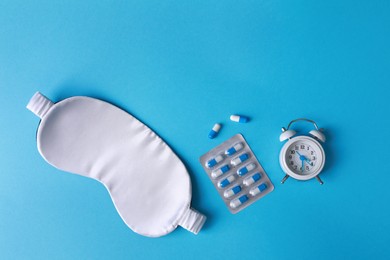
302 157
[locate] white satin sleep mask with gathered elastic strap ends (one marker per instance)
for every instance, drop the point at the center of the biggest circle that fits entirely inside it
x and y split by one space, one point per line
149 185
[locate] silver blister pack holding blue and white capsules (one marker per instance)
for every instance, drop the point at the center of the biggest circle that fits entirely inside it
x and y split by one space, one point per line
236 173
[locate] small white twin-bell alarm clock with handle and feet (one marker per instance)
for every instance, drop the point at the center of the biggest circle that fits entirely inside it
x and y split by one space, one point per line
302 157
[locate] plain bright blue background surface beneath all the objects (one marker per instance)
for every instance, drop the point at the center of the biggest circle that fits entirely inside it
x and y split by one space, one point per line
180 67
